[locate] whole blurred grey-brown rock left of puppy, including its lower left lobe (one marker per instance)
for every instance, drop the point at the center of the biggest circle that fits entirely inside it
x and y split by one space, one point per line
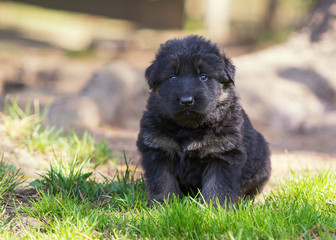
115 95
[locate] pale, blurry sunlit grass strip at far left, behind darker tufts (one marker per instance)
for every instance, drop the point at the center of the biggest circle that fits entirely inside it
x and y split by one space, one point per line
26 126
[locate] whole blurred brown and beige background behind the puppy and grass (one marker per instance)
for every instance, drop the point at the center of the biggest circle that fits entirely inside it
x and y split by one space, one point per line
86 60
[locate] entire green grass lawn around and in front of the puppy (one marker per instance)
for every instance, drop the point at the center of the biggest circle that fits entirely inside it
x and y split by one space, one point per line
69 201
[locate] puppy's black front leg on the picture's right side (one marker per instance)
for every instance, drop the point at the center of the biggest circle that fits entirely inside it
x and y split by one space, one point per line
221 179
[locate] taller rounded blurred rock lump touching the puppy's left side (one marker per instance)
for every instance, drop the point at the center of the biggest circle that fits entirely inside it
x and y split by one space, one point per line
120 93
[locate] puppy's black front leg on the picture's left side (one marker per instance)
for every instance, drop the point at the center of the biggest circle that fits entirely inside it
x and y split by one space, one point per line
160 181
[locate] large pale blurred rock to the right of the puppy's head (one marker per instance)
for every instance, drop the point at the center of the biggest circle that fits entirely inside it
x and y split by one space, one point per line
285 87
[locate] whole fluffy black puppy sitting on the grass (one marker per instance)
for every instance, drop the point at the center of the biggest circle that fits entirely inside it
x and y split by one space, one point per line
194 135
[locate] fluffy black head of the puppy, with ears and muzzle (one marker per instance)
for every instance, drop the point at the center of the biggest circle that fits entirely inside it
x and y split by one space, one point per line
188 79
